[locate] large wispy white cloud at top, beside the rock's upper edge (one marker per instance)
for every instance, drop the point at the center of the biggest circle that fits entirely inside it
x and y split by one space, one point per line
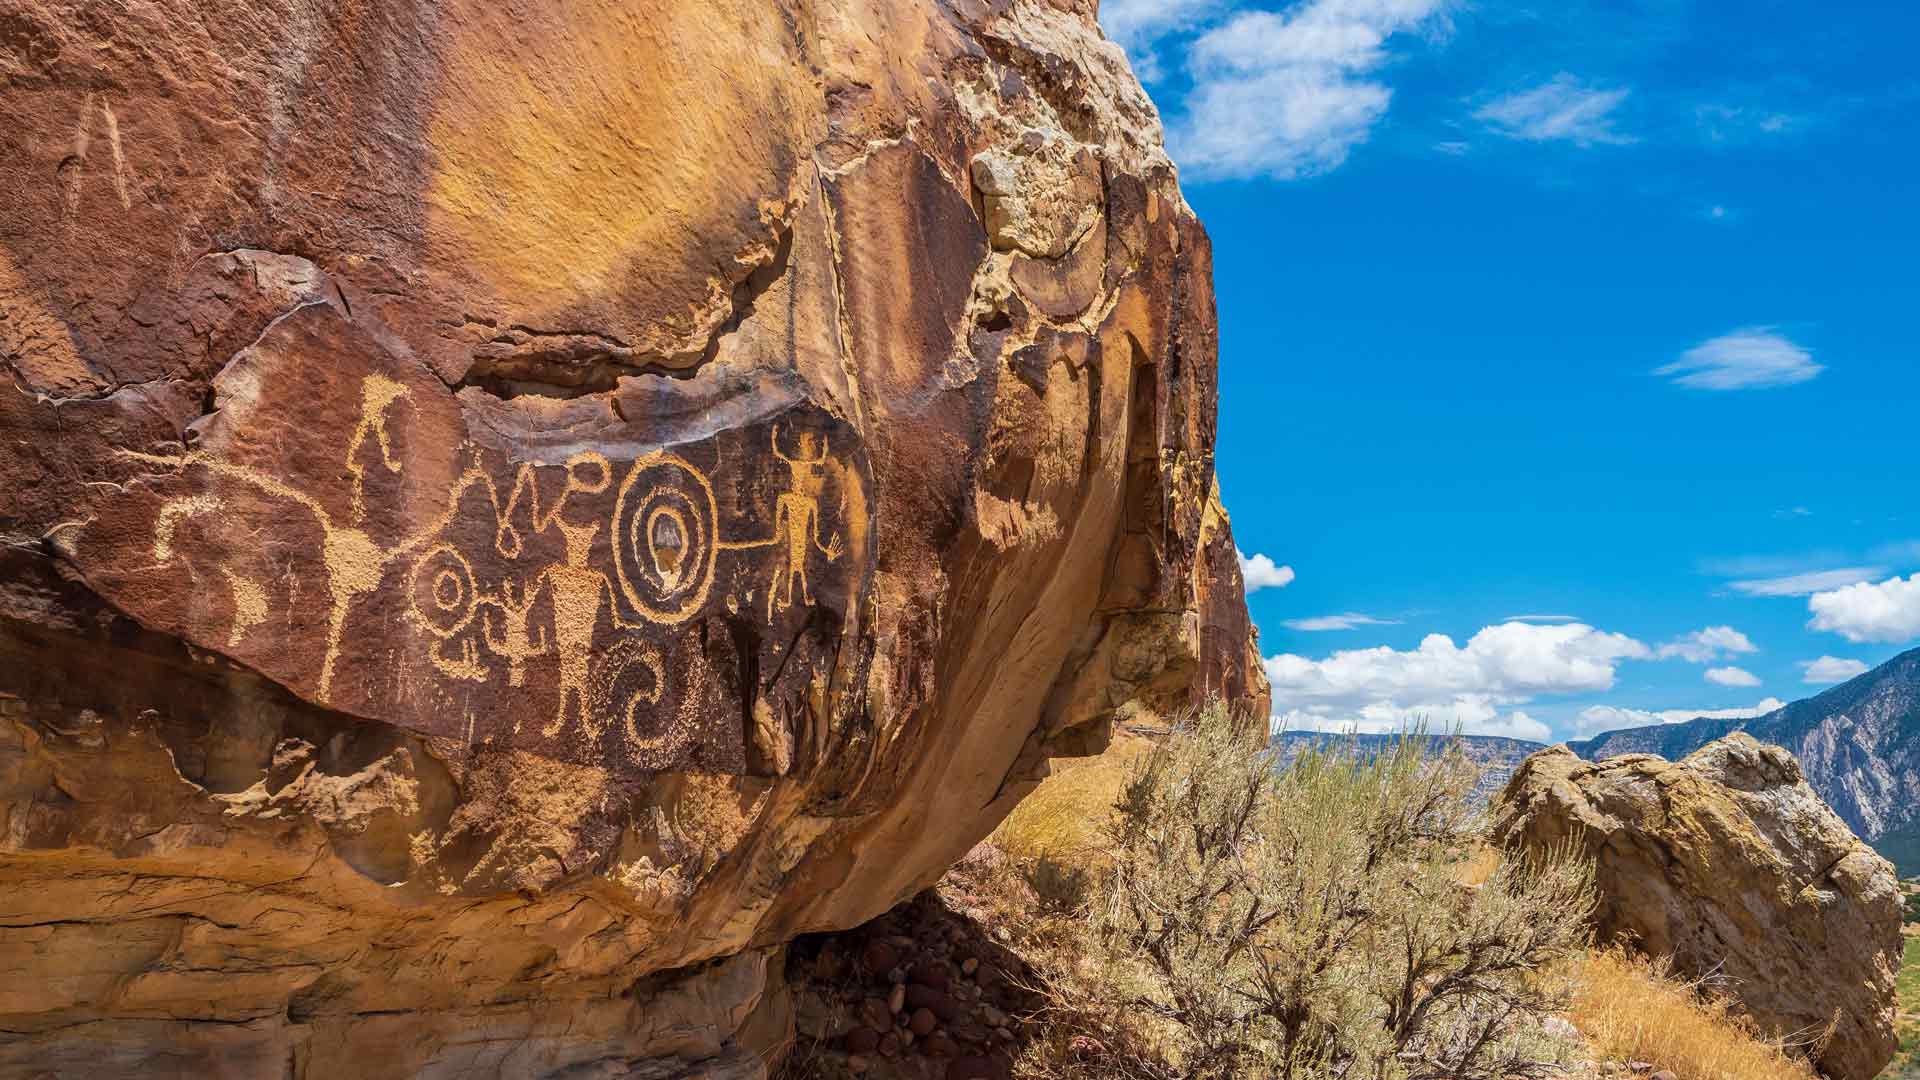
1291 95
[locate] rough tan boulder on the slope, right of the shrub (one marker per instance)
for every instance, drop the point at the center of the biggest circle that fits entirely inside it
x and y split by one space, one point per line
1735 868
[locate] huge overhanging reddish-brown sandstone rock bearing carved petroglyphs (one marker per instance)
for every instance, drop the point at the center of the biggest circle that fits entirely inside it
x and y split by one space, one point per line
514 512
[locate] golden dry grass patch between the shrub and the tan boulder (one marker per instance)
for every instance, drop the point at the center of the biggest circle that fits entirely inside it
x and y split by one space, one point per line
1635 1010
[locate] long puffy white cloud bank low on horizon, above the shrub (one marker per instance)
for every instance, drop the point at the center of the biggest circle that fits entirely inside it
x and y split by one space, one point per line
1445 683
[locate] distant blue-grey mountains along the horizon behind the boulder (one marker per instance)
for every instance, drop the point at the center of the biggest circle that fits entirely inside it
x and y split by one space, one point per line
1858 743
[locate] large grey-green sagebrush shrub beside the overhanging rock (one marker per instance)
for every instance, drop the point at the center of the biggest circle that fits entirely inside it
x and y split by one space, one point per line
1310 921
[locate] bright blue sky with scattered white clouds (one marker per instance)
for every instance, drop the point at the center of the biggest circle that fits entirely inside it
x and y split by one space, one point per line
1570 356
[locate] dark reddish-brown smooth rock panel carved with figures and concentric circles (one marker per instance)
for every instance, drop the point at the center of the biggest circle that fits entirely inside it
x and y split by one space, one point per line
629 606
